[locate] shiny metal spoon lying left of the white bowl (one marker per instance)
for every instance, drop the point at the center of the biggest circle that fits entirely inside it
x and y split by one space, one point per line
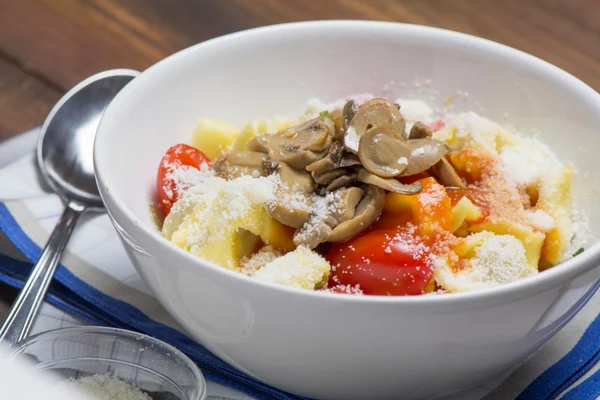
65 160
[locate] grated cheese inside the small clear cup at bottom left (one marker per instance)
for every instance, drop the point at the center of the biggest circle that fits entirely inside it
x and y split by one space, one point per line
106 387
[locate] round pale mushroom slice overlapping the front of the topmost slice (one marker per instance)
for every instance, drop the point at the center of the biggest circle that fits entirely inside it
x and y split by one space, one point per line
382 154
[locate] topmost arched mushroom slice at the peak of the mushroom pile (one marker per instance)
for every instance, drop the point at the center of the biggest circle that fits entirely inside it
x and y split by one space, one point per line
376 112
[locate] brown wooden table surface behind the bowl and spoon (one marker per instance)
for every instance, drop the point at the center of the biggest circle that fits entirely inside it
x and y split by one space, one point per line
47 46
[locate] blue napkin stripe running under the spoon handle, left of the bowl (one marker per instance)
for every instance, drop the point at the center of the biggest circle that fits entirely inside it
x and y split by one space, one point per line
87 302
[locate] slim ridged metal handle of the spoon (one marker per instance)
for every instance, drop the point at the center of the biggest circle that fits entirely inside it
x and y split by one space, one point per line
24 310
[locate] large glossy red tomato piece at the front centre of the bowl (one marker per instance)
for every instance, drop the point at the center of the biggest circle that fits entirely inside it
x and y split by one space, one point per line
382 262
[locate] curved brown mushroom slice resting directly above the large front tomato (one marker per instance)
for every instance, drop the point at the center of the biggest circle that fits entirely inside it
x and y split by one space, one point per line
367 211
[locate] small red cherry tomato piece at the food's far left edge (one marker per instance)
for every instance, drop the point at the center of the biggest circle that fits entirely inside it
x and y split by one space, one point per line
177 156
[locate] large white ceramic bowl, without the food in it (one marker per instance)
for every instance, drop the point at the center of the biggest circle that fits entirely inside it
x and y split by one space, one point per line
325 345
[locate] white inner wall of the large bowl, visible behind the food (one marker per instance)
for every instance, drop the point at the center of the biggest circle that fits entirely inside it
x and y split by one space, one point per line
275 70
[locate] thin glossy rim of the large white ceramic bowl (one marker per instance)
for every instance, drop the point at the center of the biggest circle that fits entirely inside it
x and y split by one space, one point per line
568 270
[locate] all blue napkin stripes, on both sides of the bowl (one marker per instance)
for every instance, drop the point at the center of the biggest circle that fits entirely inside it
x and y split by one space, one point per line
76 297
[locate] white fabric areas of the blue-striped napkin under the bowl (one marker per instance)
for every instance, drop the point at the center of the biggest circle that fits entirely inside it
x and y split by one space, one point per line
95 255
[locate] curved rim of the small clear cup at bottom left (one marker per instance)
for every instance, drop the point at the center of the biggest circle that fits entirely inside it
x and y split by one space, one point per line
17 348
